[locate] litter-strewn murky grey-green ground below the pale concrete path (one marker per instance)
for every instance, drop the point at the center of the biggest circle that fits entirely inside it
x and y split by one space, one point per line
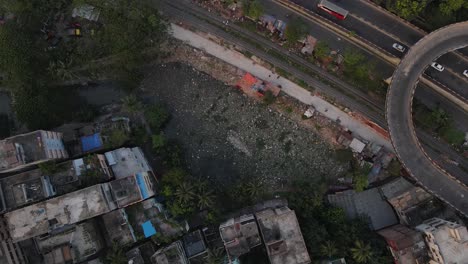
227 135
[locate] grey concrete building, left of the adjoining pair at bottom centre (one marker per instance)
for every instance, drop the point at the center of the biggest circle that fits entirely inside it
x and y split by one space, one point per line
239 235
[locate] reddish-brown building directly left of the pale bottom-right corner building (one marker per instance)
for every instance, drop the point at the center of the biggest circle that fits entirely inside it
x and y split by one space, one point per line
406 245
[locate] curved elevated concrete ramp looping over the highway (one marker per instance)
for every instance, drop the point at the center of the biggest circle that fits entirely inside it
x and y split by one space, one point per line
399 115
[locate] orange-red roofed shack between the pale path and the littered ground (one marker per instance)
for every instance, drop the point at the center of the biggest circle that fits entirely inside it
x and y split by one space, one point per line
253 86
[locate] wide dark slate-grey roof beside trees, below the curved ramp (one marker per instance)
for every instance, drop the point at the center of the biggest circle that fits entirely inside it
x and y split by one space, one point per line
368 203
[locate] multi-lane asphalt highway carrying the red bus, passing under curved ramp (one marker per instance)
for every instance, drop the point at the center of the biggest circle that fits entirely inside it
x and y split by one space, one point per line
383 30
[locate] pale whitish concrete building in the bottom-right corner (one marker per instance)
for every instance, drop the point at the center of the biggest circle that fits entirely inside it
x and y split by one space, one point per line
447 241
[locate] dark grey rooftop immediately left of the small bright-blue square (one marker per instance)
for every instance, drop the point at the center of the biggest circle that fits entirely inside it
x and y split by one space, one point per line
118 228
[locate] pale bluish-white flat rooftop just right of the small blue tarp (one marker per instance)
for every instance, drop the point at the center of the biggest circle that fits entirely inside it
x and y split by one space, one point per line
127 161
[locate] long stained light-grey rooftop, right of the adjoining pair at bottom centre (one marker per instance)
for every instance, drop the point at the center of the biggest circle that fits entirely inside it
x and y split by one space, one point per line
282 236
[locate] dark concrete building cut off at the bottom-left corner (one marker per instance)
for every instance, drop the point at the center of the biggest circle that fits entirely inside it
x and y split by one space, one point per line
10 252
